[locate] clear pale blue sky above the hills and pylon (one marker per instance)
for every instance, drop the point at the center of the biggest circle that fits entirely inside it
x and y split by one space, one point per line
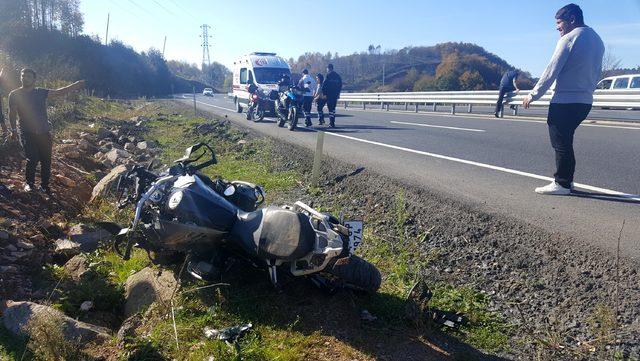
521 32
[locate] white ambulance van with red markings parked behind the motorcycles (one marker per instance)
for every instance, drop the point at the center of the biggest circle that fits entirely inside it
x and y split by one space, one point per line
263 69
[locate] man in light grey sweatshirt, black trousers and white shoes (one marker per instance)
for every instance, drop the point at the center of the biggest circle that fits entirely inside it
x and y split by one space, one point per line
576 66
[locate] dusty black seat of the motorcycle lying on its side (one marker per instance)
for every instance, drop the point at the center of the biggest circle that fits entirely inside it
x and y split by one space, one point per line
275 233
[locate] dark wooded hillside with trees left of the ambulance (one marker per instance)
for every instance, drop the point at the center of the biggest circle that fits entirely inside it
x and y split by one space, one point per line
46 35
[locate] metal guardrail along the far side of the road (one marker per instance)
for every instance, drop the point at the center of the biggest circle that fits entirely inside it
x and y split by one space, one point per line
625 99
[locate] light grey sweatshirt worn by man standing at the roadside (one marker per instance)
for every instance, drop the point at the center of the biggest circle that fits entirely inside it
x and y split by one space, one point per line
576 67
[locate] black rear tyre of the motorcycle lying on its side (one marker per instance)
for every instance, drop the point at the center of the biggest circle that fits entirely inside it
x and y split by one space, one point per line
358 273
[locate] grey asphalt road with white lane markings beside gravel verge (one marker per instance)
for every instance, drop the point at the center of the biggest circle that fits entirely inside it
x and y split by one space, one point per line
488 162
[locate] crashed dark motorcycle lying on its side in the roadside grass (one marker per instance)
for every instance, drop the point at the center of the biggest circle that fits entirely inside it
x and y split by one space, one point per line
182 212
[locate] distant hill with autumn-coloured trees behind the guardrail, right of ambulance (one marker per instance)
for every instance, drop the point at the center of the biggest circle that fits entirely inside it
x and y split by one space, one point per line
446 66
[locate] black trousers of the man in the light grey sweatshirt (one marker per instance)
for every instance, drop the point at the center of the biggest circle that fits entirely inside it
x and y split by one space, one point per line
563 120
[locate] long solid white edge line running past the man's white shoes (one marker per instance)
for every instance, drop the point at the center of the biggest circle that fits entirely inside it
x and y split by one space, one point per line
610 192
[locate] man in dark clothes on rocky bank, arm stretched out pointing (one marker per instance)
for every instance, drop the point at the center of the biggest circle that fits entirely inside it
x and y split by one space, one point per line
29 104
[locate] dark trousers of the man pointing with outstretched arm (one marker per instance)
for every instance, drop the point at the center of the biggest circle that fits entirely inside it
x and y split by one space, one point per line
37 149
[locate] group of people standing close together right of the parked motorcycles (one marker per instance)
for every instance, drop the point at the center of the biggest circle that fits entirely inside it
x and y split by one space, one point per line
323 91
